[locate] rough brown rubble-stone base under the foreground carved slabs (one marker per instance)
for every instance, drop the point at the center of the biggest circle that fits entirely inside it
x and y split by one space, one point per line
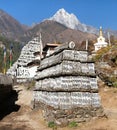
62 117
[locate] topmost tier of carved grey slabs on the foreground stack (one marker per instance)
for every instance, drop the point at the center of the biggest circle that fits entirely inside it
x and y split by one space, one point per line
70 55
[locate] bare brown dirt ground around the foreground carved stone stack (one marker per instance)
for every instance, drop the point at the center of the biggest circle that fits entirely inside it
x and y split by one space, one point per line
20 116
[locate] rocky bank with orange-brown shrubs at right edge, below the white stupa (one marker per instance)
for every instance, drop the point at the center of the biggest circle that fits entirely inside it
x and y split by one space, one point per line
106 65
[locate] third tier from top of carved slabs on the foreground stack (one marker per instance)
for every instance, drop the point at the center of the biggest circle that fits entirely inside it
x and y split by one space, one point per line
68 83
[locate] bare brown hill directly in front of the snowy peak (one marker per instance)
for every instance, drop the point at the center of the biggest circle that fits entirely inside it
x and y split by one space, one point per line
56 32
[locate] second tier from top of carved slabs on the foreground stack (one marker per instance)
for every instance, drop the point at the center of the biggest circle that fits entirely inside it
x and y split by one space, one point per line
67 68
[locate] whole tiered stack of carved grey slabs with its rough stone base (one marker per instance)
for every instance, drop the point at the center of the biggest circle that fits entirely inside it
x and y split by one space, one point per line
66 83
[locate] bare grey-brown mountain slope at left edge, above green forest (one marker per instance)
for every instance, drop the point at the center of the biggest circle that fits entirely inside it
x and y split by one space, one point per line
10 27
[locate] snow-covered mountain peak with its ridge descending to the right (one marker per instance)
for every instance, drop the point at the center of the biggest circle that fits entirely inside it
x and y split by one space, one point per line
71 21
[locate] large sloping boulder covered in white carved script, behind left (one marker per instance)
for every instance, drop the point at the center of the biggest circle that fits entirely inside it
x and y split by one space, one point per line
21 69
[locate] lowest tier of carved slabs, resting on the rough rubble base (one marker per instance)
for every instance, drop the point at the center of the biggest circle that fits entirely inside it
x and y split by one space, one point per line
67 100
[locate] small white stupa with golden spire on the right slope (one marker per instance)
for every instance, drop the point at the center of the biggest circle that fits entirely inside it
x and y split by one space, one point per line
100 41
